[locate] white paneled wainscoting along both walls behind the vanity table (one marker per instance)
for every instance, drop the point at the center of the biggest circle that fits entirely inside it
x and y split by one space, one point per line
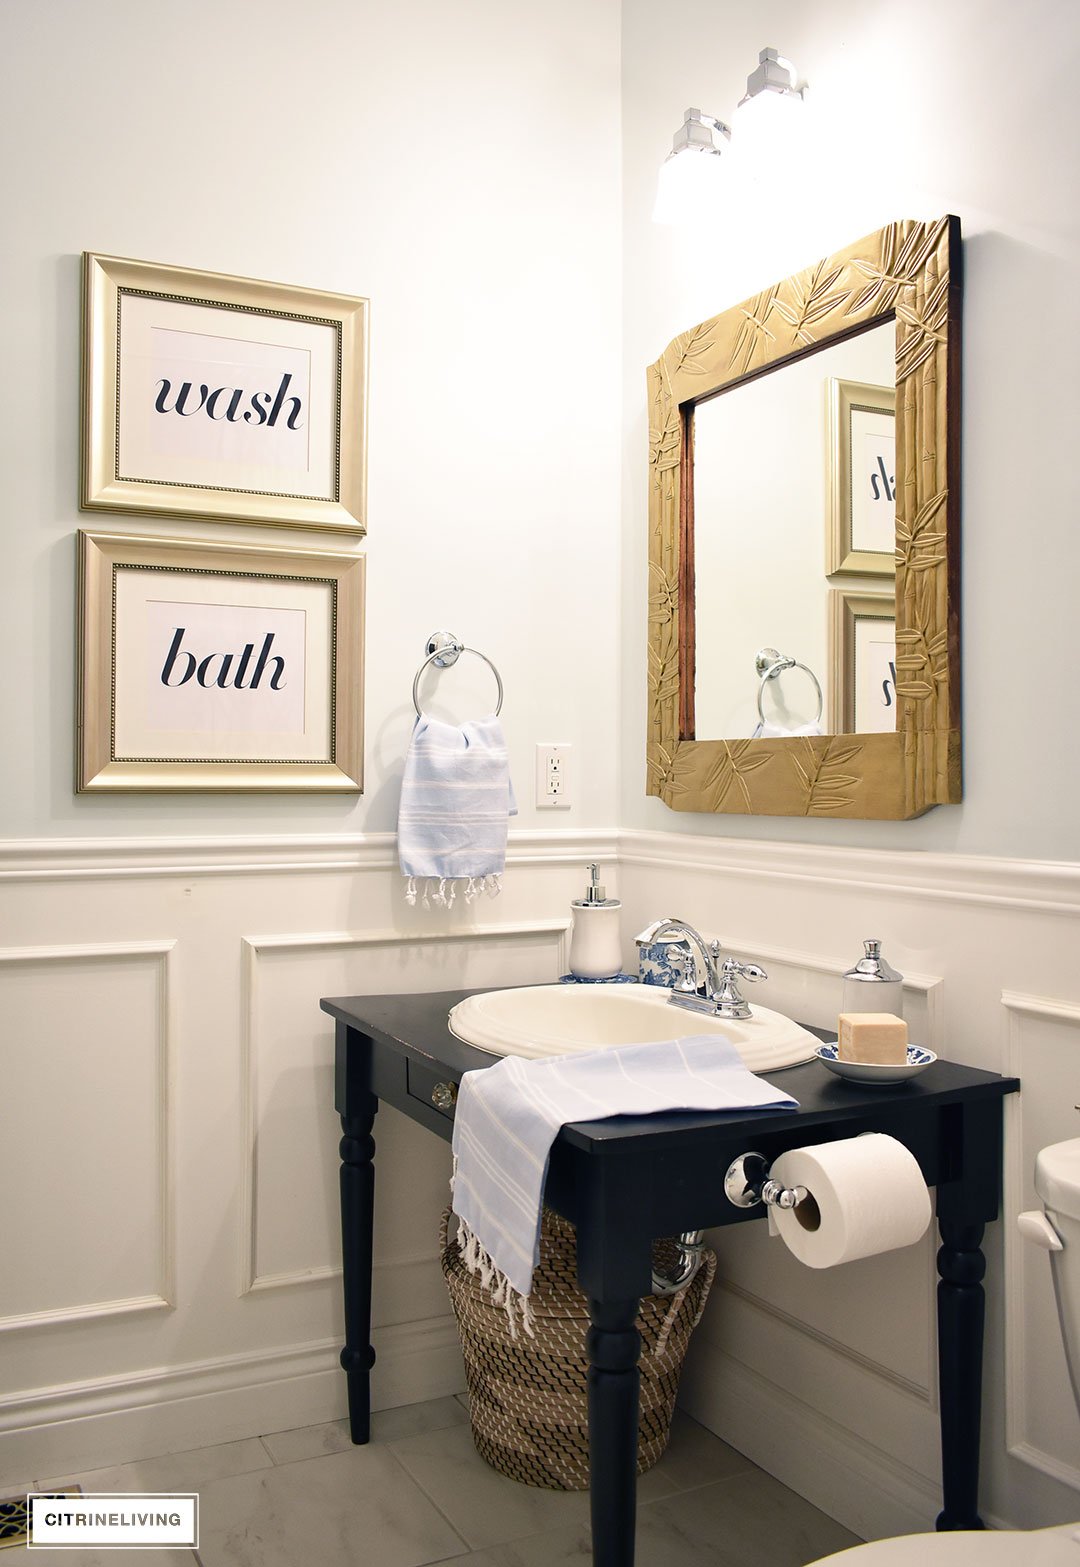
172 988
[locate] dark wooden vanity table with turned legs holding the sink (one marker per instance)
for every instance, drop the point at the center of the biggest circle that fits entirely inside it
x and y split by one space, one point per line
632 1179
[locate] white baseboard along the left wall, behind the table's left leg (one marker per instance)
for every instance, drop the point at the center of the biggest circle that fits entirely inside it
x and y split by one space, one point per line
57 1431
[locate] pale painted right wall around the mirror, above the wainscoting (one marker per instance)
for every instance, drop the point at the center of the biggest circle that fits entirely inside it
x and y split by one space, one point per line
919 109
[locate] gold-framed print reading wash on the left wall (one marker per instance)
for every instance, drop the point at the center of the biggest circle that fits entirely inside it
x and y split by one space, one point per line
208 396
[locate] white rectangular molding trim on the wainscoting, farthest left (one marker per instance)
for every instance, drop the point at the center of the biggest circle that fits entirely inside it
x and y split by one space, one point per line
161 960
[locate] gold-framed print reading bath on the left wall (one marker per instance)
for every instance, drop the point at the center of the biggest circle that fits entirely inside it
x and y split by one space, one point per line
219 667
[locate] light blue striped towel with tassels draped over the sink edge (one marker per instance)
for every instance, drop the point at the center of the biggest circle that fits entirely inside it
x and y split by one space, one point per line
510 1115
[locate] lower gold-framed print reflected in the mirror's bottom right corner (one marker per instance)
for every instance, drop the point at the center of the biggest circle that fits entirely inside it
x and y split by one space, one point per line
863 689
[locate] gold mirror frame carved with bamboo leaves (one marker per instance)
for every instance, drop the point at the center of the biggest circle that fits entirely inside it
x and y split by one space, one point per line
908 272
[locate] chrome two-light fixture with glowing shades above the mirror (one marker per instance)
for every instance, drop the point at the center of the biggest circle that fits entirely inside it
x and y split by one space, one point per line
690 176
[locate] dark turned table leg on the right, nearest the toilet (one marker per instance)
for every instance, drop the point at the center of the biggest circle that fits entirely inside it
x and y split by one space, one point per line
960 1370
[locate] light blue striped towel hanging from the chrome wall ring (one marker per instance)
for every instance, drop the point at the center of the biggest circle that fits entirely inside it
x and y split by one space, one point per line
455 805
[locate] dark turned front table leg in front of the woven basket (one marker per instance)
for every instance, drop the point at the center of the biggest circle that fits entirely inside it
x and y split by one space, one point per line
614 1347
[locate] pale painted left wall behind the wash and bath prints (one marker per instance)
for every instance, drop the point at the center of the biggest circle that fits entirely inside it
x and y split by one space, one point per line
421 156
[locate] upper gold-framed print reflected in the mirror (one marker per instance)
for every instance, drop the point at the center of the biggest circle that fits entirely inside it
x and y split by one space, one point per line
863 480
